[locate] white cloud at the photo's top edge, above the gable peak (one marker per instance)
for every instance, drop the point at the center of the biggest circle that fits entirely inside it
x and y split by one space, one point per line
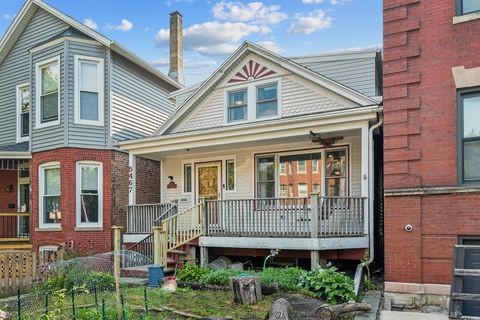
254 12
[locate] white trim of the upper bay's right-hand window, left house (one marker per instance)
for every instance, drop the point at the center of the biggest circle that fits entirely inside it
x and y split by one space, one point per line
101 89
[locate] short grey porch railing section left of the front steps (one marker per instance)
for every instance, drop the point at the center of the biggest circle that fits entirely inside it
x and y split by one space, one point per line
141 218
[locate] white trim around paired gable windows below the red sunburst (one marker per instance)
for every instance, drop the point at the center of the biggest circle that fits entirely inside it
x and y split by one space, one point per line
251 87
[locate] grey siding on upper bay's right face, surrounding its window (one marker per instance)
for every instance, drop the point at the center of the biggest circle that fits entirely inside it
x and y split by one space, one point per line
86 136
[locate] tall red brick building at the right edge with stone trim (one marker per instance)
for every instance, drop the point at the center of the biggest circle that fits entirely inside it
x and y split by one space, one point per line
431 140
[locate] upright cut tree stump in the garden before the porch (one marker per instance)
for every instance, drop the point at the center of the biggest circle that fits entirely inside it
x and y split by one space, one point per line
246 289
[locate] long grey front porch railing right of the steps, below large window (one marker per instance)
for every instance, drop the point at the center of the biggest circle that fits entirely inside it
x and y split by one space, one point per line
287 217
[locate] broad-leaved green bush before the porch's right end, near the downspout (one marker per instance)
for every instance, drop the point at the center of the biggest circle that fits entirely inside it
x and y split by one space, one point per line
329 284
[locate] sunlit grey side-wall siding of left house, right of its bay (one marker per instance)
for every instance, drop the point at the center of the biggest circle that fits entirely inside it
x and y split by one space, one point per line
139 106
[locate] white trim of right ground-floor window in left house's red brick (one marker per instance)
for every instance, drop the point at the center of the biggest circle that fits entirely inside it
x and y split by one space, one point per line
85 225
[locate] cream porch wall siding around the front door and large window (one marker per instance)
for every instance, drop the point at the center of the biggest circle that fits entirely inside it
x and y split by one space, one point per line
172 166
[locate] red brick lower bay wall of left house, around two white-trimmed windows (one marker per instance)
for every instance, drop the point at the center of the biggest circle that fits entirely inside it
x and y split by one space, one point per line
99 240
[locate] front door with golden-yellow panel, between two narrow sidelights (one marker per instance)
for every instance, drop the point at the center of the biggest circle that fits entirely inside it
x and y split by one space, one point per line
209 181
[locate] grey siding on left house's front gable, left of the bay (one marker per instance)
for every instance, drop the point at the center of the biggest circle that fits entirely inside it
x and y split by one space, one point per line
15 68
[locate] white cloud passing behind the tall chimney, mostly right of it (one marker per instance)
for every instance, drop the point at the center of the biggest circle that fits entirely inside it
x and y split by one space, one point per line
213 38
